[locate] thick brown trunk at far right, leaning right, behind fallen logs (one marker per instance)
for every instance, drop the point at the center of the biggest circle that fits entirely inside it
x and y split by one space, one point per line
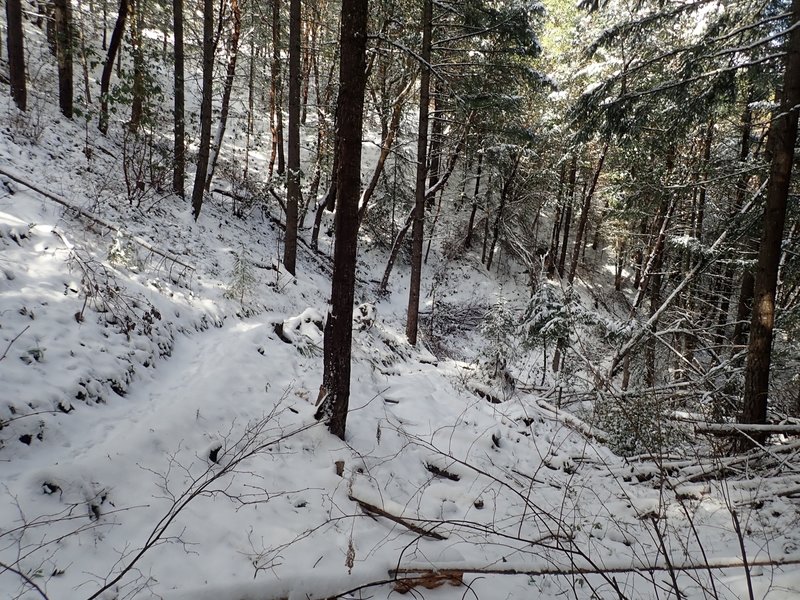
783 136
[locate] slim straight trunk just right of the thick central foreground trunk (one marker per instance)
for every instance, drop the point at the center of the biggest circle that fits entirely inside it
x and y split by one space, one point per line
418 226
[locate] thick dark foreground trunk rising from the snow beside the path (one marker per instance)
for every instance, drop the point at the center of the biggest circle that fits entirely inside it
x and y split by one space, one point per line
350 111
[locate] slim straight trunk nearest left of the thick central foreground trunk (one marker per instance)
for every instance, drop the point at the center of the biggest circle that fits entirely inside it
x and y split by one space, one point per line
293 171
